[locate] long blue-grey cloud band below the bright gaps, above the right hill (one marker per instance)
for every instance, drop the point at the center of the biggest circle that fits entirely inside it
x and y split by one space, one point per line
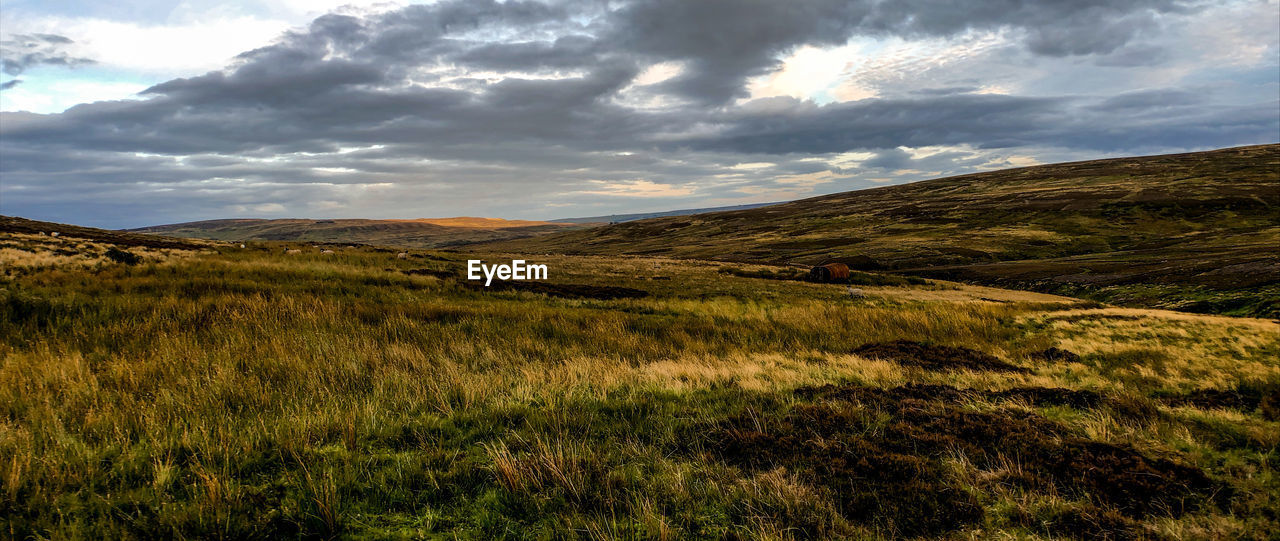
1124 122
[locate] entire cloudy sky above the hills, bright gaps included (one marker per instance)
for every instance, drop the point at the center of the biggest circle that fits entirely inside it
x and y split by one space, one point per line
140 113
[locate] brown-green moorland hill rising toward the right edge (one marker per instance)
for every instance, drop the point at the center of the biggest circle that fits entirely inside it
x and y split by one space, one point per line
1194 232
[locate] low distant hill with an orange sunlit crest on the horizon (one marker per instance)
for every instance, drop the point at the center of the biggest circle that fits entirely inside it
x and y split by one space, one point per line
423 233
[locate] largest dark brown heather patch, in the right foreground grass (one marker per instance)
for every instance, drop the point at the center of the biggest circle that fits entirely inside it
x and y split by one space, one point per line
883 455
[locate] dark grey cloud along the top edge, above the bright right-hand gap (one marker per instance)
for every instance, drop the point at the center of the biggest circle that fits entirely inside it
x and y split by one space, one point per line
726 42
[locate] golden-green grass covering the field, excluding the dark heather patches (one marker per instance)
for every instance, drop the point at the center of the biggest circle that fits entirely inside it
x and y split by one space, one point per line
208 386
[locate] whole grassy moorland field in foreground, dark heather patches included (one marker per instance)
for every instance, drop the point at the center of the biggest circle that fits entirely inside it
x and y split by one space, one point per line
227 393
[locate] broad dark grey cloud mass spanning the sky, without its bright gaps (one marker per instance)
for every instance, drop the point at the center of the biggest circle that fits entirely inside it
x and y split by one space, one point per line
511 103
